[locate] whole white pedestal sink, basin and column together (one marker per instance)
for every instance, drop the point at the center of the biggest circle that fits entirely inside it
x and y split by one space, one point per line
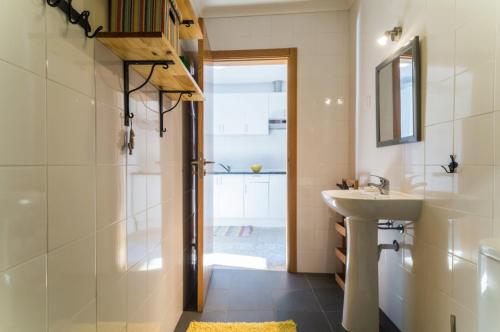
363 209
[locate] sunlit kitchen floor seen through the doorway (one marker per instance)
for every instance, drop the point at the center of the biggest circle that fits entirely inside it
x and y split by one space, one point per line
266 243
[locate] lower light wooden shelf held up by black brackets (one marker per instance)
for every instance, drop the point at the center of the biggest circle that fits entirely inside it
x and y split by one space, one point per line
147 46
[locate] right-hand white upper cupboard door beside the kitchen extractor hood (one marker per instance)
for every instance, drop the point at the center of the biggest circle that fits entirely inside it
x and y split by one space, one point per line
256 108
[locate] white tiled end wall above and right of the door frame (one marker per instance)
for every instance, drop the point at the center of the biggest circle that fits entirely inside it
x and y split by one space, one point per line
323 130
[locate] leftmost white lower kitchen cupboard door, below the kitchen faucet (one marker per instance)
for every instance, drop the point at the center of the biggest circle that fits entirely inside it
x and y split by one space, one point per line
231 197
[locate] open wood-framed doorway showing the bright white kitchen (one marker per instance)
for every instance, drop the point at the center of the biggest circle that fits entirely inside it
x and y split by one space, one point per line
254 135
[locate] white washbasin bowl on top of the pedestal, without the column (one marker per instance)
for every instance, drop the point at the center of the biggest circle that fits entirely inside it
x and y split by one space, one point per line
373 205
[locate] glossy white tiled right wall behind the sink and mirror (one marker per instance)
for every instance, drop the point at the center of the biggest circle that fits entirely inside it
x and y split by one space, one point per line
460 94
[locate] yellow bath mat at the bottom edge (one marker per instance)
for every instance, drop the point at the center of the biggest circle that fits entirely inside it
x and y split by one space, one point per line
287 326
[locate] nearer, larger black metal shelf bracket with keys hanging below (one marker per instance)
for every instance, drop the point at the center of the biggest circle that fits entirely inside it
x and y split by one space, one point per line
126 81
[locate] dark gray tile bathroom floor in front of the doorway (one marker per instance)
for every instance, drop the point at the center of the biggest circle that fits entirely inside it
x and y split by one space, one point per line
313 301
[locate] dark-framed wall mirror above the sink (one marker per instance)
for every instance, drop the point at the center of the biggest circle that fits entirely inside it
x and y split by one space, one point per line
398 97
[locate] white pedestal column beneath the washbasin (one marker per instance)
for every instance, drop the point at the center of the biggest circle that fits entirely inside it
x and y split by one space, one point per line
361 284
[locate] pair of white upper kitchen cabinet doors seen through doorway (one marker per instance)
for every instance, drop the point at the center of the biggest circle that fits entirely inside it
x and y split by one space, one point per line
241 114
